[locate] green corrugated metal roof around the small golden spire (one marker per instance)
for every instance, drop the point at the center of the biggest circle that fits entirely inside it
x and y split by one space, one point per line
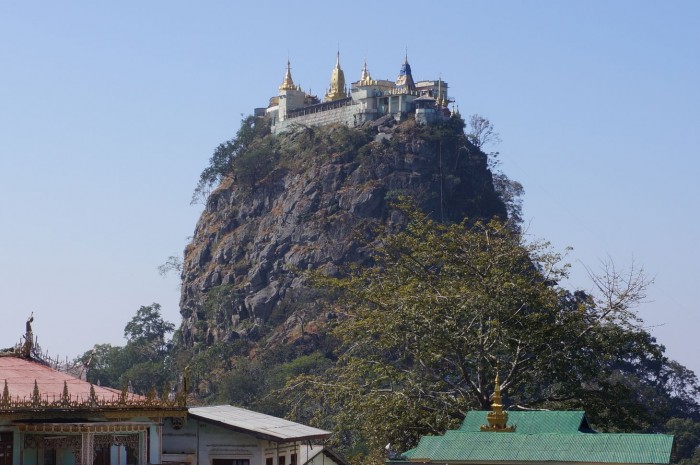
541 437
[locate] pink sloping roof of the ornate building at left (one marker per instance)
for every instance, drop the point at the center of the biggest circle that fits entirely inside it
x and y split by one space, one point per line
20 375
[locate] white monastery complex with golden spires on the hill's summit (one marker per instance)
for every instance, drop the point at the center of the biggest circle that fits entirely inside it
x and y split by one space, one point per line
364 100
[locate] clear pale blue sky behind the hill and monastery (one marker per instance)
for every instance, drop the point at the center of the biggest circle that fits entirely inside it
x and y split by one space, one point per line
110 110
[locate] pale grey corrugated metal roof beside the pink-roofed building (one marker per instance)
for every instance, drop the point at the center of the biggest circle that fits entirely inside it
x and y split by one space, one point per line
258 424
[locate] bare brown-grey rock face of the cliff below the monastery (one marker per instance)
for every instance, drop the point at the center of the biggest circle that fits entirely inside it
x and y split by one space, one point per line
316 209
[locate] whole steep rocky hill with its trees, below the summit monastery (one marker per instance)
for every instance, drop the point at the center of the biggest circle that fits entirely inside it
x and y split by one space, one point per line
311 289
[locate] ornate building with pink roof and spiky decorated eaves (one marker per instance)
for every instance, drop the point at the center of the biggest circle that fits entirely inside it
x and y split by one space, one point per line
48 416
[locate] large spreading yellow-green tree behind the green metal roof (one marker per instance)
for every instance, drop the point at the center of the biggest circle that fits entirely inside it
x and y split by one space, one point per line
443 309
